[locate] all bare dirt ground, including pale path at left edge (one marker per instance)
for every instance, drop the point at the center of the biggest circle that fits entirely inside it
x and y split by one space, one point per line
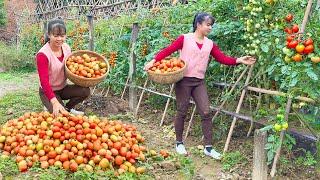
163 137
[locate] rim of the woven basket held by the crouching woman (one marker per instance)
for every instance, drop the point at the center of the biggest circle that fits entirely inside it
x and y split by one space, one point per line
92 52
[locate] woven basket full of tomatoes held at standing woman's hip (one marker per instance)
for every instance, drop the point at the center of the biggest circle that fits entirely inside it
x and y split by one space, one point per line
167 71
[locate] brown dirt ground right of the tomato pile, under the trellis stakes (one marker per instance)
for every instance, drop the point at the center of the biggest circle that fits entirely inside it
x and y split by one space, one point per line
163 137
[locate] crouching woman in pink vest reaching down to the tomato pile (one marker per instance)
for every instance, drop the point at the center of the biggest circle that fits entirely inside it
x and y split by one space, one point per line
50 65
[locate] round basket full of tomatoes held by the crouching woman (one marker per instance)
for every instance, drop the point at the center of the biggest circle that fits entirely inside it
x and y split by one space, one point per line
86 68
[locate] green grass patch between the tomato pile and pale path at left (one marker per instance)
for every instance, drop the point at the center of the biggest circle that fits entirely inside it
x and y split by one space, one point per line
18 103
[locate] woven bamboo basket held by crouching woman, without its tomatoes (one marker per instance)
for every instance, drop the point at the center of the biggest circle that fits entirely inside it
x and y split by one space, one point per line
81 81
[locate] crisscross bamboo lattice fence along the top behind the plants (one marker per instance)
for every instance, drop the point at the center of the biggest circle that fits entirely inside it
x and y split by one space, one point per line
73 9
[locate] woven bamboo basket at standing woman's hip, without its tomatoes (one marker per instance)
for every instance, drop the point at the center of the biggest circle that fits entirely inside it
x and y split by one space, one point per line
168 78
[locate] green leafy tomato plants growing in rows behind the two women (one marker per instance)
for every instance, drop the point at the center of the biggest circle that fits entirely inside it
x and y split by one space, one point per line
241 28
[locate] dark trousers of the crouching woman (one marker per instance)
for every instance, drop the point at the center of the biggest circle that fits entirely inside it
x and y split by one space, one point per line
74 93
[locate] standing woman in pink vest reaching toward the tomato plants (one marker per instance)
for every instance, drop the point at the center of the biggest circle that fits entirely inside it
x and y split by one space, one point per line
196 49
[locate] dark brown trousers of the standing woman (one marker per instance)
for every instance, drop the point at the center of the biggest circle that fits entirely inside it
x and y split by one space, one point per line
195 88
